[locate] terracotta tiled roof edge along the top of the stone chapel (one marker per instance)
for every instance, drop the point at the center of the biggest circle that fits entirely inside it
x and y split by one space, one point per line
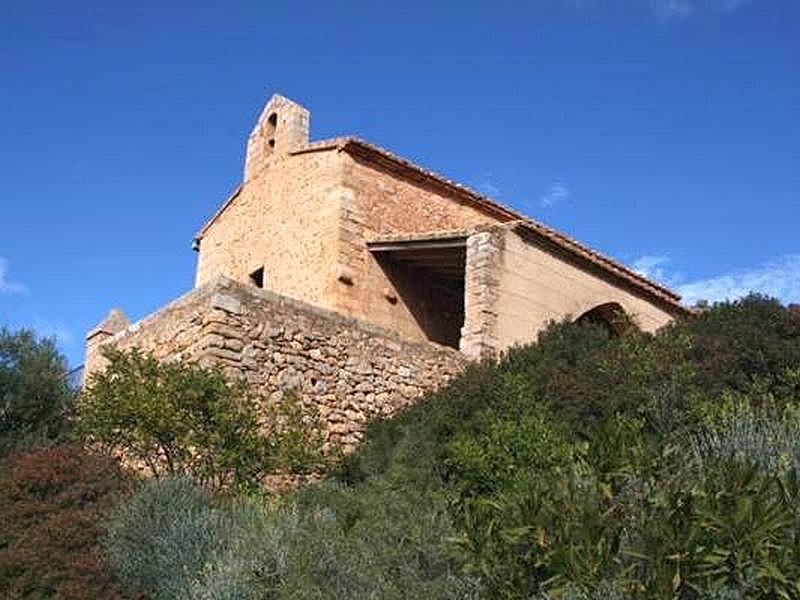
375 154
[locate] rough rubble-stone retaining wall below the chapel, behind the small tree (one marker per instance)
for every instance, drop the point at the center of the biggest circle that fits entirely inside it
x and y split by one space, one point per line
351 370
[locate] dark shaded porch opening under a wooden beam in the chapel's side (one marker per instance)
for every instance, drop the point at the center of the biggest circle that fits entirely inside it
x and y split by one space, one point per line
428 275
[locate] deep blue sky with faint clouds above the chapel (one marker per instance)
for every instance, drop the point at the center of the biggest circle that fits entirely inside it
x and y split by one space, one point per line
663 132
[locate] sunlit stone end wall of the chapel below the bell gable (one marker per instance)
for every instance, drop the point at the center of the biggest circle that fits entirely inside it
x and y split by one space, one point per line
285 219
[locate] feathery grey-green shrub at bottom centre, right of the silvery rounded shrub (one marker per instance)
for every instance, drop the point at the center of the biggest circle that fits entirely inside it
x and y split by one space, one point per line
377 541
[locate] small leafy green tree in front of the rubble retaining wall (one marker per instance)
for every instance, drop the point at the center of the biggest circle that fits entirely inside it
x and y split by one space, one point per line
180 418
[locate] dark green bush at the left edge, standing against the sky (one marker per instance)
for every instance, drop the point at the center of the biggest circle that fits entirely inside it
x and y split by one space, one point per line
35 397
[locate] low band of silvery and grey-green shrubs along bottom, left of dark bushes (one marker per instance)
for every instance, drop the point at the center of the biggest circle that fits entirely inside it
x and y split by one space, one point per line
173 540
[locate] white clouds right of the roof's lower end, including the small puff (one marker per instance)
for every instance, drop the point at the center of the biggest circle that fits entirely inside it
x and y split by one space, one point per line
779 278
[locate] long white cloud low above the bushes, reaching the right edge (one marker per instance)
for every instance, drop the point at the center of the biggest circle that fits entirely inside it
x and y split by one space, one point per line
779 278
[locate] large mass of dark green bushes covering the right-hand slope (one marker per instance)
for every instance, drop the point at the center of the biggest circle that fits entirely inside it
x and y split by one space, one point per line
573 466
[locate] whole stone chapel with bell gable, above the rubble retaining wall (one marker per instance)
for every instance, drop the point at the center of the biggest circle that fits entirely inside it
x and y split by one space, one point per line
348 226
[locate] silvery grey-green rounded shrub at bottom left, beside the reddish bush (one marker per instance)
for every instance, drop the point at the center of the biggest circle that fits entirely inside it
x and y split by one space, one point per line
172 540
